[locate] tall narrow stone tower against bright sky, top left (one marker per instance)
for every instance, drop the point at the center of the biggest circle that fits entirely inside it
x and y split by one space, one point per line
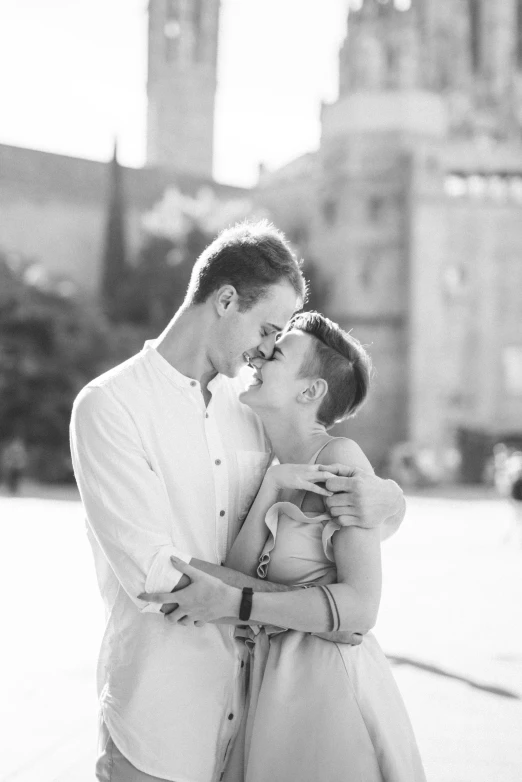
181 85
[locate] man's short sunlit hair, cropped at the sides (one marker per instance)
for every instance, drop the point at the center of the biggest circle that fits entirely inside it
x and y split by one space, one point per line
251 257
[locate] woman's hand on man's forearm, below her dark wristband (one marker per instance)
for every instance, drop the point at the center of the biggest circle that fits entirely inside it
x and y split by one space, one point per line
205 599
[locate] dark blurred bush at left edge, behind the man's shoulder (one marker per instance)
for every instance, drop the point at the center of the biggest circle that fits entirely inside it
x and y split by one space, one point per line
50 346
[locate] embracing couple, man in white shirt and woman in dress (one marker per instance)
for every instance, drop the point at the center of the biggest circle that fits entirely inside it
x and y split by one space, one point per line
237 543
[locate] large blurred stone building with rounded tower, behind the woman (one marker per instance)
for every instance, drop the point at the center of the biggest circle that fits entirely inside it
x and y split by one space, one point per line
413 207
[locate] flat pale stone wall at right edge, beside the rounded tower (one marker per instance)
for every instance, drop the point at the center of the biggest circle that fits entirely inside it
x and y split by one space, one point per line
466 312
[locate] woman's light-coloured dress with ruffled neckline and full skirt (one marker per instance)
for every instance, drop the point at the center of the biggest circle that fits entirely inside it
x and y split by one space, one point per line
319 711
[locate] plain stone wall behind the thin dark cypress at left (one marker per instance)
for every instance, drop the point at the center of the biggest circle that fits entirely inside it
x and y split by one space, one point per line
53 209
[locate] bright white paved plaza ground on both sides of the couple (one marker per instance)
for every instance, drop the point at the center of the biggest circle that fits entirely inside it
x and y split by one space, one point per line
450 623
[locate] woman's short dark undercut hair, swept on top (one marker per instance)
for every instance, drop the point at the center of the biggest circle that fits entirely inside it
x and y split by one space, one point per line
338 358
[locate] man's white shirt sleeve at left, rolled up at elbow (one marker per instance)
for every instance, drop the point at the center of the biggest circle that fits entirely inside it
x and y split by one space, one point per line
125 502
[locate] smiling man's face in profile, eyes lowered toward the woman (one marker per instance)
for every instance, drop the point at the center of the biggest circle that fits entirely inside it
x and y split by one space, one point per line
252 334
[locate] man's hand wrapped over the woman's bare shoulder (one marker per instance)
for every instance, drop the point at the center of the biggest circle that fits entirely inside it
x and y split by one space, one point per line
361 497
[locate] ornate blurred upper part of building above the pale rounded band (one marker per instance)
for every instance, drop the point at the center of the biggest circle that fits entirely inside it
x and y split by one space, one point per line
467 51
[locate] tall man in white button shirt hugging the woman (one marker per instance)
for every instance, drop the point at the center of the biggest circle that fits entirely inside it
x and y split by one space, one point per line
168 462
